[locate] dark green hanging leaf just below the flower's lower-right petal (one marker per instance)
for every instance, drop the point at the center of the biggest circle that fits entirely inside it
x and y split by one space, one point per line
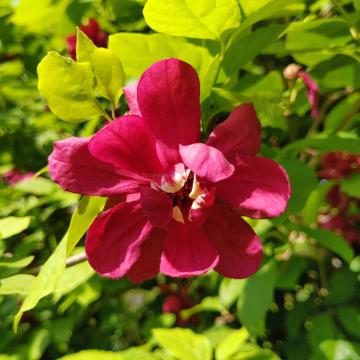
256 298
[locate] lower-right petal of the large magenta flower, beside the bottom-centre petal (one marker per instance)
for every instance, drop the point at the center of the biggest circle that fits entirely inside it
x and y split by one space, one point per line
239 248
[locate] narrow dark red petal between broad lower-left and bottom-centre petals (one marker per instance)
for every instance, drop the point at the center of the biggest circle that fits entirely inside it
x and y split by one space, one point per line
148 264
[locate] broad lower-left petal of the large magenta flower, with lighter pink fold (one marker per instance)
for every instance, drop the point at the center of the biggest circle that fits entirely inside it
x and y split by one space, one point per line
114 239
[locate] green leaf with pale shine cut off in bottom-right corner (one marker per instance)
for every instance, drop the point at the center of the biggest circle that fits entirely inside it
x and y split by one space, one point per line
340 350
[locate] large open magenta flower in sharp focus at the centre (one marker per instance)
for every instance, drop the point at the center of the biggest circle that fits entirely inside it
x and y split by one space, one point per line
176 203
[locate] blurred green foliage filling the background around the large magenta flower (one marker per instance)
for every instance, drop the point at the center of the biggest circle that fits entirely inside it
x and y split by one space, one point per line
304 301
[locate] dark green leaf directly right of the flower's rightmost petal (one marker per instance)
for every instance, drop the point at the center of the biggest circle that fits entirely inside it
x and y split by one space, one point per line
303 181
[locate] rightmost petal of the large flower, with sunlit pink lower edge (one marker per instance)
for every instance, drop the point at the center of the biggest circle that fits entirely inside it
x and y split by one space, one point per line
259 187
